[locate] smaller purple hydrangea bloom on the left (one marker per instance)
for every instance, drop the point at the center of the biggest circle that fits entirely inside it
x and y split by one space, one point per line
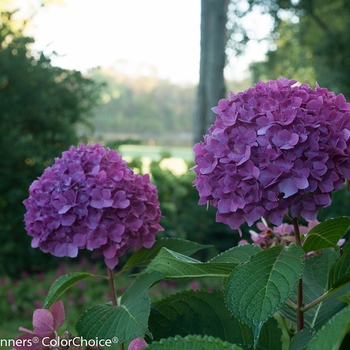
91 199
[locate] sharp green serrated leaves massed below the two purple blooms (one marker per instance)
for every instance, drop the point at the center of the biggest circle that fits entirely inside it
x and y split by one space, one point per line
257 284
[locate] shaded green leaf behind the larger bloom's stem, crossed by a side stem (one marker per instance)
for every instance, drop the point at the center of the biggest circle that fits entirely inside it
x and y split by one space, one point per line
315 281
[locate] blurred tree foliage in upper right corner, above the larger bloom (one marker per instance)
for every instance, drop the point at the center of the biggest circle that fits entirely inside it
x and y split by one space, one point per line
309 42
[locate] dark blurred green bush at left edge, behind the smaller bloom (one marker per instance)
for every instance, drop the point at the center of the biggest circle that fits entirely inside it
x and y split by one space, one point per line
41 107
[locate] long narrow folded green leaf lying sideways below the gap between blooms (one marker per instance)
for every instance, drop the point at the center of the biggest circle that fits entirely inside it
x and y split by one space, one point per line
175 265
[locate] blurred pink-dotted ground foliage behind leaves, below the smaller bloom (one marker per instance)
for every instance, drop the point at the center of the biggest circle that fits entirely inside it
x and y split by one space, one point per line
19 297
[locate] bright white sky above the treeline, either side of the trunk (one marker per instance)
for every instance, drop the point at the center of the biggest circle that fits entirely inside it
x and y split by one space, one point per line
132 35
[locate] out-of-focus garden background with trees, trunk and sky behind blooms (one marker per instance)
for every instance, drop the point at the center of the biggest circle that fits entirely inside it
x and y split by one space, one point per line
141 76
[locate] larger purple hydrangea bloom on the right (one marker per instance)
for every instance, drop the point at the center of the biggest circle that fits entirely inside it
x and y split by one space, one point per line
274 148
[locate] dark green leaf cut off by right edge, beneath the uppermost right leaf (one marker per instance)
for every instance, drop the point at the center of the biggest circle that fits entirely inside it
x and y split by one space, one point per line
340 271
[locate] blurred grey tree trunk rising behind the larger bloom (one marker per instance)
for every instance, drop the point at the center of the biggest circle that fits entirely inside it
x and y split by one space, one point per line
212 62
